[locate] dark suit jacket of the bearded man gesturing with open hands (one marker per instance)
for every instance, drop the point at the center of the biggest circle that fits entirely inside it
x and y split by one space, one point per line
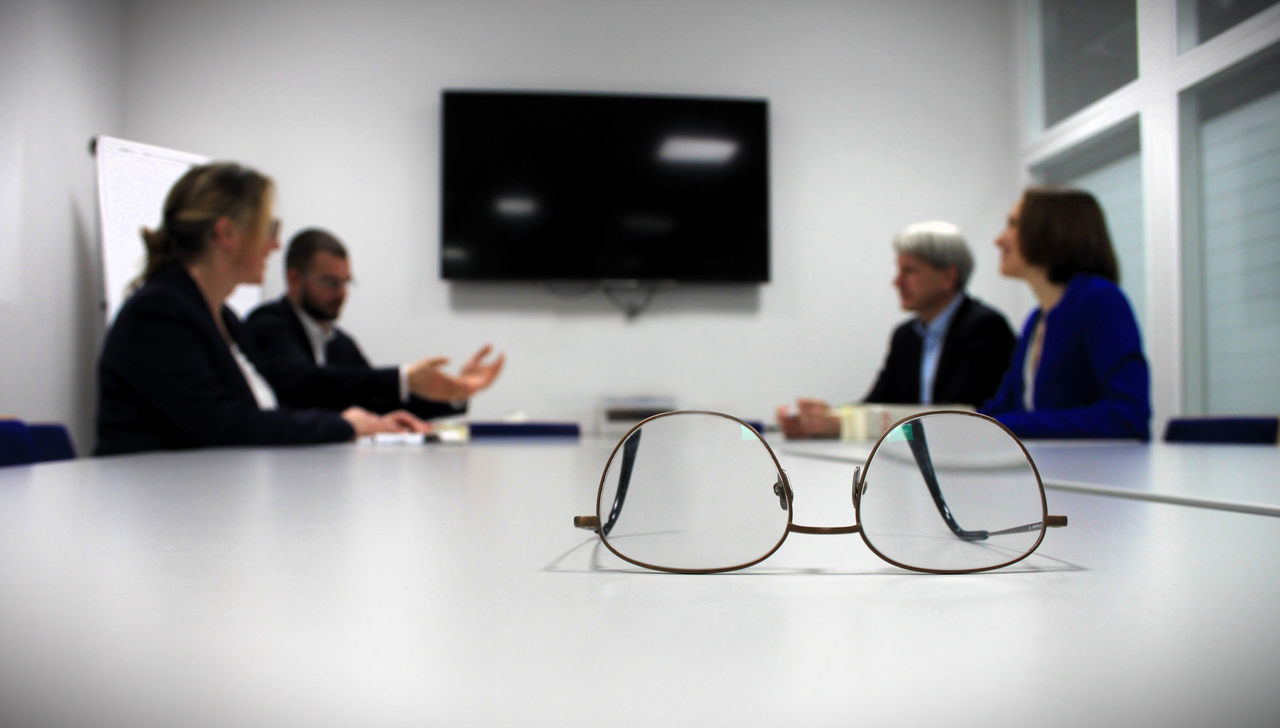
346 379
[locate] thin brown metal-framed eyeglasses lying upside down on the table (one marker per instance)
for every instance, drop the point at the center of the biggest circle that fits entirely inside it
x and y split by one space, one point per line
702 493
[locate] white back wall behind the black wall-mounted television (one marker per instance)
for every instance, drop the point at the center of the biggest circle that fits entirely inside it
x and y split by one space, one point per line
883 115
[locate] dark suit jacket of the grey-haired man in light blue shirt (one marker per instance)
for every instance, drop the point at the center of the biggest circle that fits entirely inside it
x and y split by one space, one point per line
975 356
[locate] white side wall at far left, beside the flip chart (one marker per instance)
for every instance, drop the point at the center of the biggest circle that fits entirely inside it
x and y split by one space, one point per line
67 86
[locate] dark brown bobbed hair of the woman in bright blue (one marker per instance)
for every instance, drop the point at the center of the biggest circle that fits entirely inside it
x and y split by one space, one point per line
1064 232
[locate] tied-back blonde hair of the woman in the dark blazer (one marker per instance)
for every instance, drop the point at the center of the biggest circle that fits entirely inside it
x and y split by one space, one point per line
196 203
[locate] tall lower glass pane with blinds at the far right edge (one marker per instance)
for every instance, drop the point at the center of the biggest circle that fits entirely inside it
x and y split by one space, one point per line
1237 148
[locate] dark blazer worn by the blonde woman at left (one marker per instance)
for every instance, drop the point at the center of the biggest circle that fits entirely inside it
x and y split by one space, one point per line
168 381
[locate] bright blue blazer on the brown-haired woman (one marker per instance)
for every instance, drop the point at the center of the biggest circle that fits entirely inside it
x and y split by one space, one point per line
1092 381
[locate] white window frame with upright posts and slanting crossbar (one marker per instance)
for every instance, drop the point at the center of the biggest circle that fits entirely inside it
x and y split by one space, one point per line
1158 100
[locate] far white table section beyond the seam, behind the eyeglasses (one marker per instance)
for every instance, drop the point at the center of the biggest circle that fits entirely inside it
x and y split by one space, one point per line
1237 478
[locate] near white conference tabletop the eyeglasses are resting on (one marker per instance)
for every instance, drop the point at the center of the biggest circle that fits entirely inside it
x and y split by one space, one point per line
444 585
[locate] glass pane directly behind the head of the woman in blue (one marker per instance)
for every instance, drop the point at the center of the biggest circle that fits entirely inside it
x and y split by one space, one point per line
1110 168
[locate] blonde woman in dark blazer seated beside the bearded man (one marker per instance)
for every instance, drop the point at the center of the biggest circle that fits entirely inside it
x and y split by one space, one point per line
177 370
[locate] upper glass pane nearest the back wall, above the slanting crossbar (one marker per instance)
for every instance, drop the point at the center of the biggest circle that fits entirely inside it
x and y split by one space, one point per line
1090 49
